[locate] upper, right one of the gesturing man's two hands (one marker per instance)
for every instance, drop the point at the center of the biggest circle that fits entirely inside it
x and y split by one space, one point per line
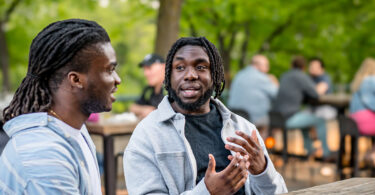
250 149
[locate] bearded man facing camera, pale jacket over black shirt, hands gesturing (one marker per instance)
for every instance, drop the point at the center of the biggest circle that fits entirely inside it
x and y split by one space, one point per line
192 144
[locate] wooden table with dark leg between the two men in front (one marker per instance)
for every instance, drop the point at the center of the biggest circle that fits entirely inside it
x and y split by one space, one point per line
108 131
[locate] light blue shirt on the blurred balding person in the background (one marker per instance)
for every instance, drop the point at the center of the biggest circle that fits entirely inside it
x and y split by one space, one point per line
252 91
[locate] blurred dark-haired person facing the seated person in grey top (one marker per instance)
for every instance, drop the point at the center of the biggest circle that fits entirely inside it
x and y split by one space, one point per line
323 84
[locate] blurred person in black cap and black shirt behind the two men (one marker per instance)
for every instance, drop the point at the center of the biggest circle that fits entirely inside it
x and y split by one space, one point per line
153 68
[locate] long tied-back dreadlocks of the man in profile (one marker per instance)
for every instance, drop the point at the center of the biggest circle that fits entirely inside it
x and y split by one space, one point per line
58 49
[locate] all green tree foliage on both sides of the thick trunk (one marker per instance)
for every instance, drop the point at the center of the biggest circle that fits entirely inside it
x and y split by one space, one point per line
340 31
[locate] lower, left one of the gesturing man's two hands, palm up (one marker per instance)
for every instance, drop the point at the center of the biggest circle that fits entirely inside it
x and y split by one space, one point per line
229 180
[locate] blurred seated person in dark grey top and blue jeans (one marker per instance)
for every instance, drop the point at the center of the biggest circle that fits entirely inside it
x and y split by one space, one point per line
295 88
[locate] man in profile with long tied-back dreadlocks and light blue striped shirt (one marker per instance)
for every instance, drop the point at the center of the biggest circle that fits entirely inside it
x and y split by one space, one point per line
71 73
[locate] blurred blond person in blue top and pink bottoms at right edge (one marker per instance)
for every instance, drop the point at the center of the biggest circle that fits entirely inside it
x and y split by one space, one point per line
362 104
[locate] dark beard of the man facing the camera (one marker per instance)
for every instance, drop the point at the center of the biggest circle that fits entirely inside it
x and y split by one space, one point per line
191 106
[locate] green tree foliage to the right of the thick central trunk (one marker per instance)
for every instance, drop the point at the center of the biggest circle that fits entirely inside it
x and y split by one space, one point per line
339 31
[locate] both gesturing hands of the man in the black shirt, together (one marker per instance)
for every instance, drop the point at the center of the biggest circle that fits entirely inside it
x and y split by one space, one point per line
249 158
